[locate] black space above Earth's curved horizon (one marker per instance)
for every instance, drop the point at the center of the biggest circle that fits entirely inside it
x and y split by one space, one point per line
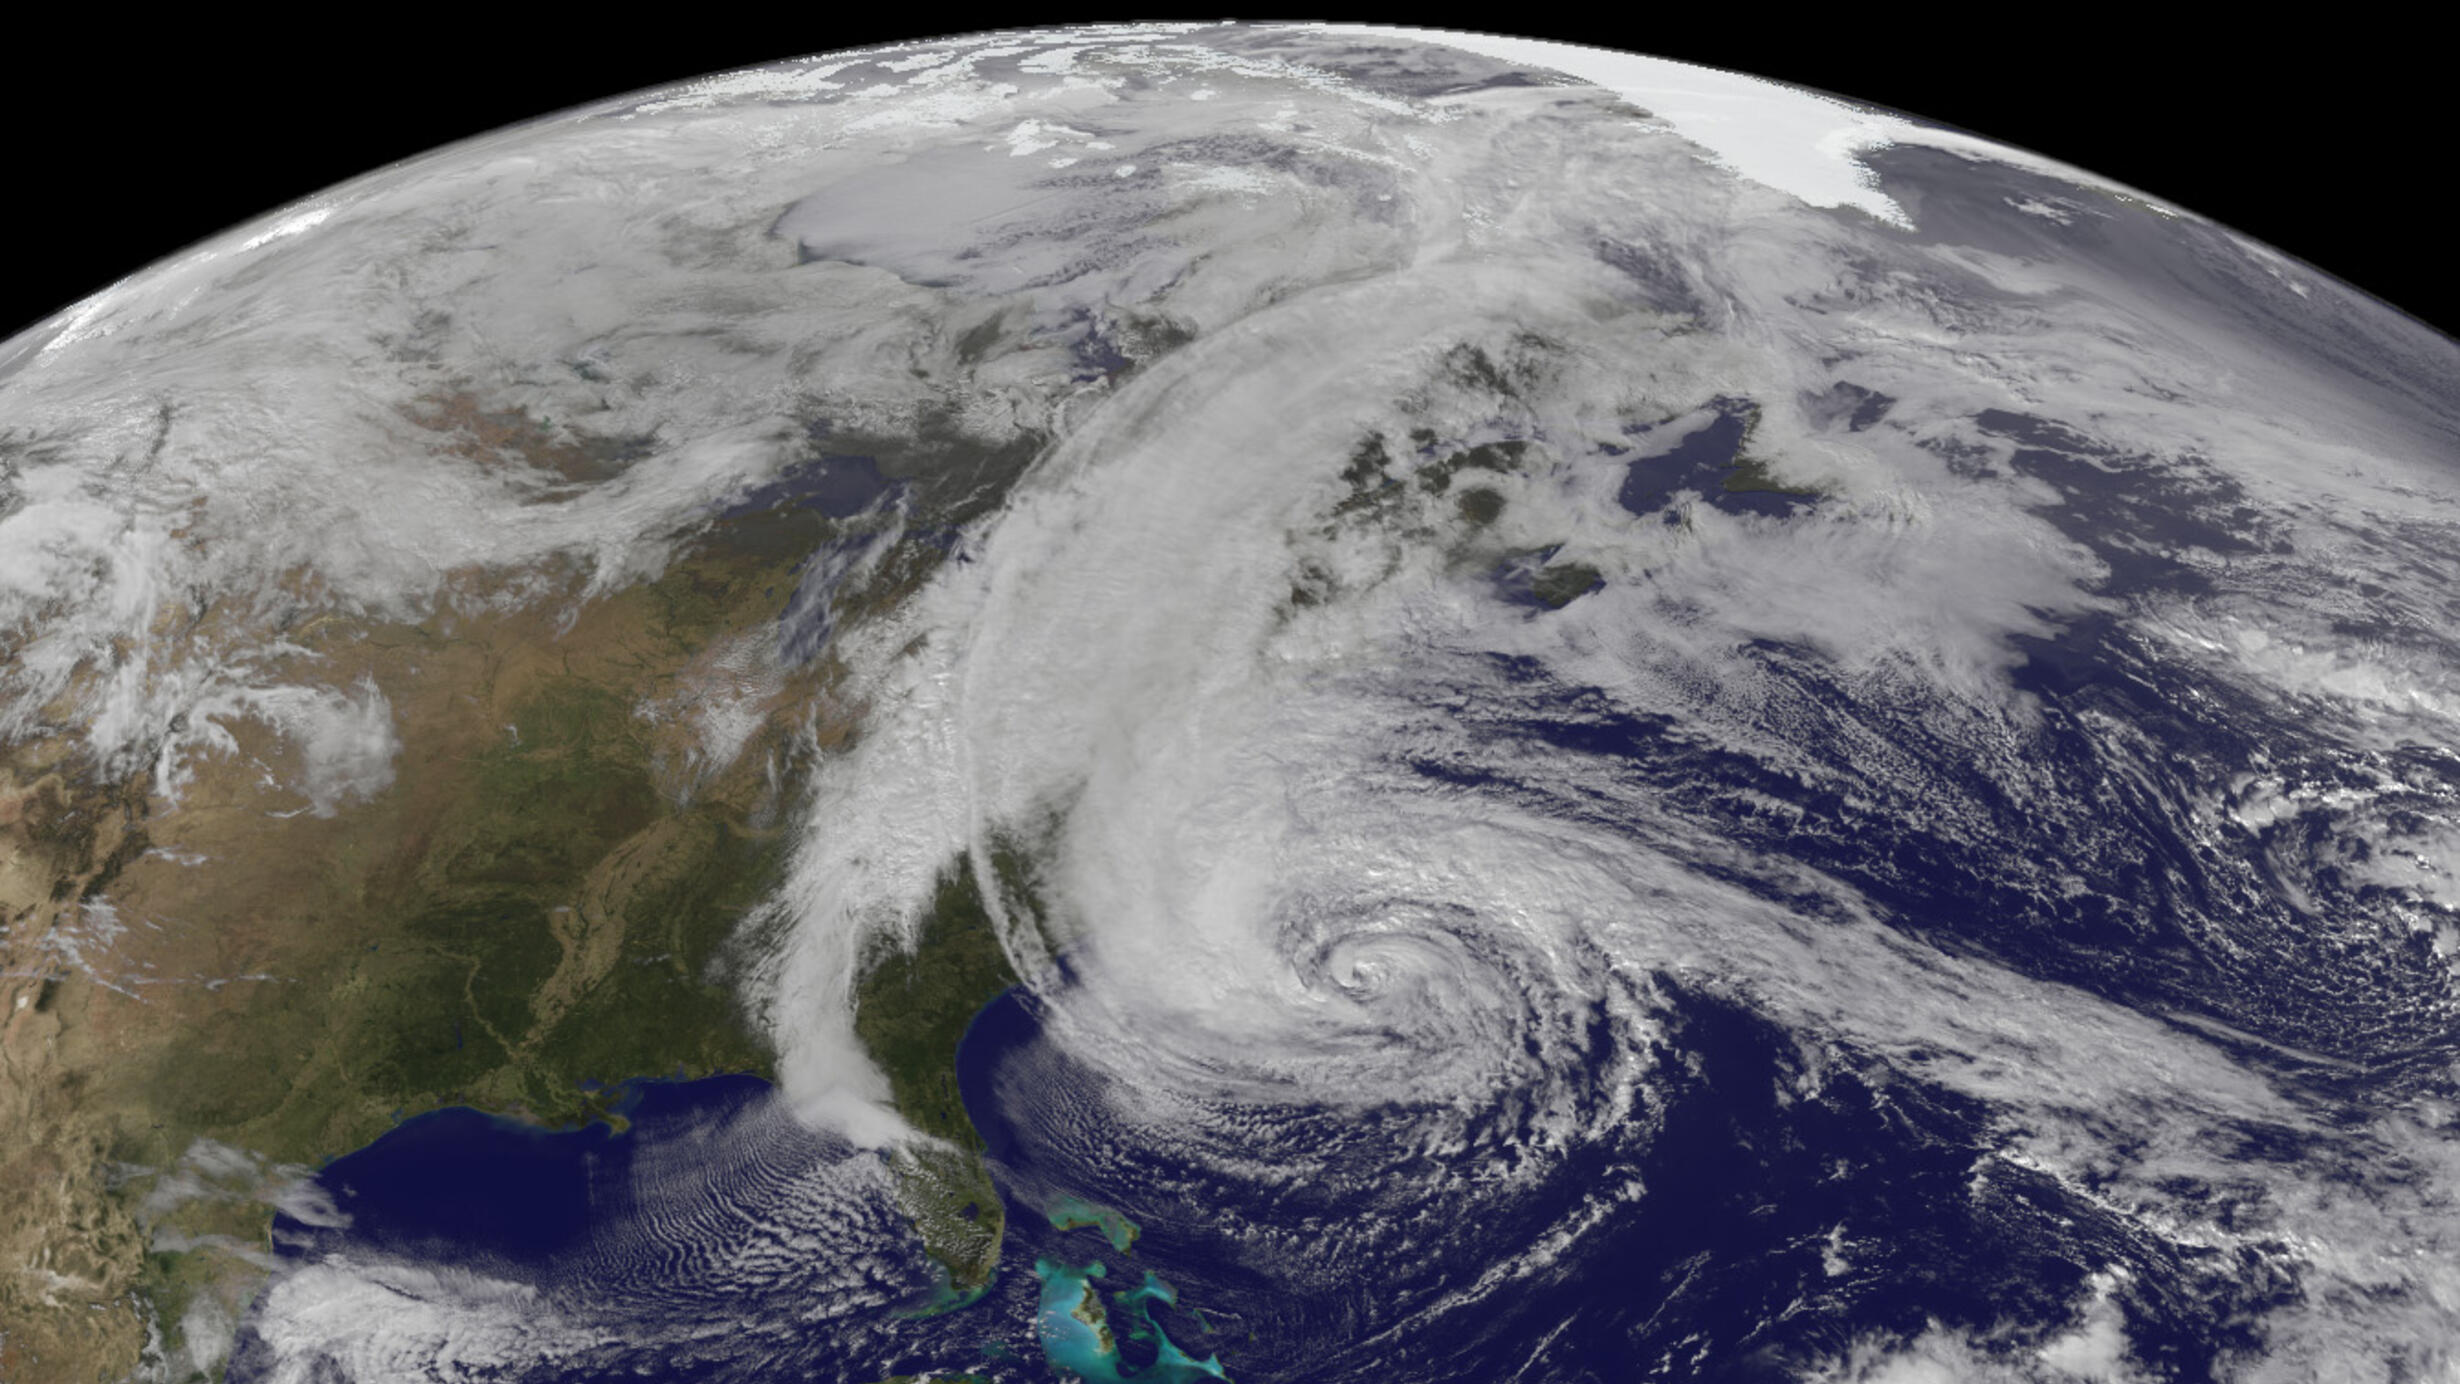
134 139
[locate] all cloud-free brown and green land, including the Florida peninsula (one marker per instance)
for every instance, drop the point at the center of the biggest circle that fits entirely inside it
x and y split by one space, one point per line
538 906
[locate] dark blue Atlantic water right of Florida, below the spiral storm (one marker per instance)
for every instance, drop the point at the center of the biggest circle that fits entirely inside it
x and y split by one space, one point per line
1777 1221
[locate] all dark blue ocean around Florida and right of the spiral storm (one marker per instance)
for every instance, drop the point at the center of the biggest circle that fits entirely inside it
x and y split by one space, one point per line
1763 1208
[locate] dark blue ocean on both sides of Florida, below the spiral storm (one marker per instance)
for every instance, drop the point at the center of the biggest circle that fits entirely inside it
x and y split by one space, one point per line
1775 1221
